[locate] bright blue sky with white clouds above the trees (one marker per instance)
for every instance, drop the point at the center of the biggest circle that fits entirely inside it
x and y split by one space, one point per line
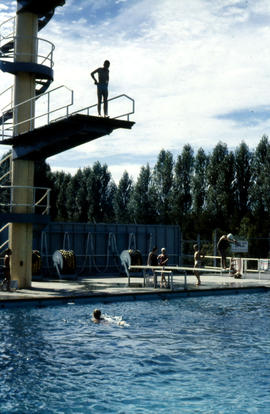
198 70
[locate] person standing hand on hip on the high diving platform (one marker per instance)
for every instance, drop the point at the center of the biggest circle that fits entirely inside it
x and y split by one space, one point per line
102 86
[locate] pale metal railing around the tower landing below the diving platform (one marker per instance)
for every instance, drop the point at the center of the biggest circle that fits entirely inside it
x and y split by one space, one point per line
45 207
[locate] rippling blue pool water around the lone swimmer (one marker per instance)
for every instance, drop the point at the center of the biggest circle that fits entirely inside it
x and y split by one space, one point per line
186 355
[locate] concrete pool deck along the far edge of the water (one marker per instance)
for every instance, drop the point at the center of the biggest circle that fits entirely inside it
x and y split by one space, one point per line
110 287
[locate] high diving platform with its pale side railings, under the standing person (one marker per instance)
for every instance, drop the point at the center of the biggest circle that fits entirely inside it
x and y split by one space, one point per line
55 130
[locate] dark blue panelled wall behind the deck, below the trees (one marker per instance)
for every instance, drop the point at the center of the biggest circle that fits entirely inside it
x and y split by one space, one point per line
97 246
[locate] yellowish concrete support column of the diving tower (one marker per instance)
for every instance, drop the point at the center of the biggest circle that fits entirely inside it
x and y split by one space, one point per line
20 234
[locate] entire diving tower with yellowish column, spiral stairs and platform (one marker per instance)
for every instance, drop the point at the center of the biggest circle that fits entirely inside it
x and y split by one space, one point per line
36 136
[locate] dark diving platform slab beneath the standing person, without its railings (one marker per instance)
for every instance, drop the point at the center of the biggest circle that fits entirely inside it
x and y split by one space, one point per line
62 135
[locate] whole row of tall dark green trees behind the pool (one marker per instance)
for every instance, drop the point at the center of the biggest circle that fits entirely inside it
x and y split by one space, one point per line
223 189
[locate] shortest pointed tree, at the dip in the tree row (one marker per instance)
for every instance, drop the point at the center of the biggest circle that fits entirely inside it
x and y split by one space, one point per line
121 199
